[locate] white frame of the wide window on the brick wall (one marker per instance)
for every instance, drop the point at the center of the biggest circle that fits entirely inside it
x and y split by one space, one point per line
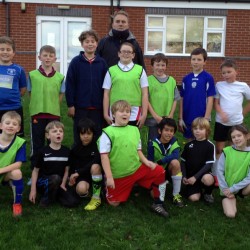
206 31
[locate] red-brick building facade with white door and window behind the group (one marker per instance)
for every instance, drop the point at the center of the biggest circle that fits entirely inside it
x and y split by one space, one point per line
170 27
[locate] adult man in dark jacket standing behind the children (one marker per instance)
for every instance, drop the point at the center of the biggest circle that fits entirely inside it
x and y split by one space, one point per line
109 45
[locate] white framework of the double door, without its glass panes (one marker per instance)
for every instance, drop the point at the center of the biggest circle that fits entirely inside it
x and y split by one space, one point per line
64 61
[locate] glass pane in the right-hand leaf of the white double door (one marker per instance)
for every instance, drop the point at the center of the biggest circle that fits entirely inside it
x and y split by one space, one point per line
74 31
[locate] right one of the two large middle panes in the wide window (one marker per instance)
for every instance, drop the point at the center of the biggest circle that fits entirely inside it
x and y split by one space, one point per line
194 33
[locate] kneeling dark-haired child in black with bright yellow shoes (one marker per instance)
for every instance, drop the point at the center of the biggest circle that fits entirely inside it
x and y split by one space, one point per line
85 164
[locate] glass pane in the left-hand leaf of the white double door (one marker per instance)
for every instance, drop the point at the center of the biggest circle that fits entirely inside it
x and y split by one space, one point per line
51 35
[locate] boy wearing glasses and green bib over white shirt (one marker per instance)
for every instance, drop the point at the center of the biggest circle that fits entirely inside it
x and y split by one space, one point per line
126 81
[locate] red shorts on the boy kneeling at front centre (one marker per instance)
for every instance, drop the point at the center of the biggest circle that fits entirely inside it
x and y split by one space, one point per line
144 177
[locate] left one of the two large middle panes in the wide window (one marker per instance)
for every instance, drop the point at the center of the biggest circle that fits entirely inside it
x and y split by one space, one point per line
175 31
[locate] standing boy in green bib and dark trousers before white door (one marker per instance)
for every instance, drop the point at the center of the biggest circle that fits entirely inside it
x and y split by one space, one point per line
46 87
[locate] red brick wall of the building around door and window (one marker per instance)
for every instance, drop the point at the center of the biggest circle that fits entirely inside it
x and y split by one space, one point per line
23 30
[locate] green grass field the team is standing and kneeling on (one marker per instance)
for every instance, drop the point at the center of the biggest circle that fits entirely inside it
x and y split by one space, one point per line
130 226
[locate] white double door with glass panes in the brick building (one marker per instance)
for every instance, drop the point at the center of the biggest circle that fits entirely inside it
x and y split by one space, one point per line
61 33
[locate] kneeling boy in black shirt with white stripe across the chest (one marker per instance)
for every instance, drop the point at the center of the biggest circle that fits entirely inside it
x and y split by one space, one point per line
50 173
